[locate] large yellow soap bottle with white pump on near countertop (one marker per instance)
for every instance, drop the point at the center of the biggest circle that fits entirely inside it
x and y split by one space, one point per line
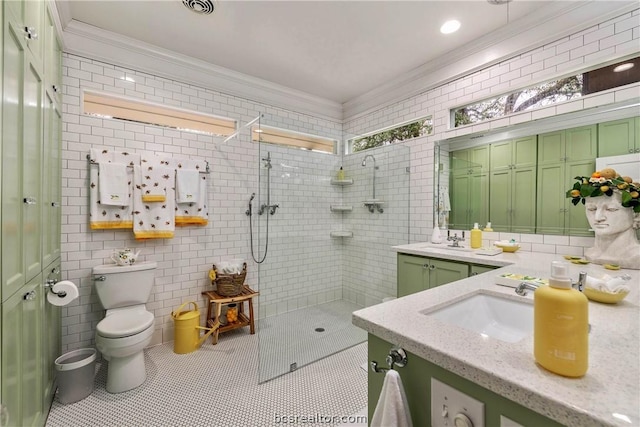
561 325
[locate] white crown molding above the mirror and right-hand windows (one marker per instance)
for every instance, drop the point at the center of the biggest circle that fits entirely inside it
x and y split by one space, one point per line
558 20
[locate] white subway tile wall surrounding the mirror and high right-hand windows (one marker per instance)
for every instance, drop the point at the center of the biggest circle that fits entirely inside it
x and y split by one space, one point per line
611 39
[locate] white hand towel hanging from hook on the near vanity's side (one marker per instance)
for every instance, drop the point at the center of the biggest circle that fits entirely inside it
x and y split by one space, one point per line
392 408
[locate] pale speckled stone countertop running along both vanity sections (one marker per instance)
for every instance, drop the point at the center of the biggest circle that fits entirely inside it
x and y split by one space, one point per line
609 393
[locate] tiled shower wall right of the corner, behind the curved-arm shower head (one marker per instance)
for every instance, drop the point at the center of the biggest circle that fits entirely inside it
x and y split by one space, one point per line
369 264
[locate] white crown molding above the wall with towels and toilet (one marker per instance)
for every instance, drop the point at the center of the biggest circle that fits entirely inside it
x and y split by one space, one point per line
95 43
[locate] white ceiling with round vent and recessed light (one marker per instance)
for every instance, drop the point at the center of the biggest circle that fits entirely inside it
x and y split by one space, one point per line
336 50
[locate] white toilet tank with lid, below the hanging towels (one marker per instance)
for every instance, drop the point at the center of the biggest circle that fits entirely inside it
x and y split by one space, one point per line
123 286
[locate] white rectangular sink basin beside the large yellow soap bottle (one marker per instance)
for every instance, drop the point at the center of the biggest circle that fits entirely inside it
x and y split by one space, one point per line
490 316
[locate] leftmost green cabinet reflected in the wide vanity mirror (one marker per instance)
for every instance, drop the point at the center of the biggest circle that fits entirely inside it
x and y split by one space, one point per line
469 183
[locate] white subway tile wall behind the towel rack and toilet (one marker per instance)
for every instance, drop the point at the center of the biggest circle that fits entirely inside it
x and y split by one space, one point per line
183 261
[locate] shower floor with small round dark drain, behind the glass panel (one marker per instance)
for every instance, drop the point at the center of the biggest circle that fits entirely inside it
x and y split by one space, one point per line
304 336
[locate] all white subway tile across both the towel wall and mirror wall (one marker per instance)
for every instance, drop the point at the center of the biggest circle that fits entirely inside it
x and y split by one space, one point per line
305 266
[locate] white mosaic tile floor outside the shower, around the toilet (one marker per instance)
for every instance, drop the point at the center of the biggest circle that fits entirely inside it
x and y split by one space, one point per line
218 386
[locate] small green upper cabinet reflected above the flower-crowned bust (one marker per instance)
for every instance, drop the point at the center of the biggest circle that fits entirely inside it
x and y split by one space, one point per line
619 137
